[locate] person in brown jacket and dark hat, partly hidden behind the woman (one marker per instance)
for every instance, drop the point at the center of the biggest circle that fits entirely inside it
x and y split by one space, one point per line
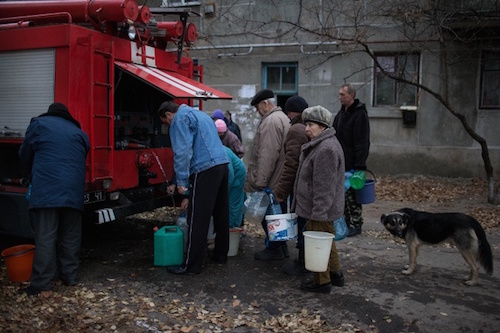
295 138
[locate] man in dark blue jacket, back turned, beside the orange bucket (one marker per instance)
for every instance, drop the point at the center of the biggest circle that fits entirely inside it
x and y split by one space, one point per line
54 151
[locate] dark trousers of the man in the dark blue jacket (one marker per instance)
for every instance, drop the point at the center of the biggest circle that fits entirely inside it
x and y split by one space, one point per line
58 237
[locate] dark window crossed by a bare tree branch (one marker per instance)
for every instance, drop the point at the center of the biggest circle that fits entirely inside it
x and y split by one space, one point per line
391 92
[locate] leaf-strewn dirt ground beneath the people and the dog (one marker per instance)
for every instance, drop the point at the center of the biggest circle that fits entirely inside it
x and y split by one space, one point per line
120 289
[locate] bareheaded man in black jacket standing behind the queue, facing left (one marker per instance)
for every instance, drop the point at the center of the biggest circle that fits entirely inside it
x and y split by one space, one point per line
353 132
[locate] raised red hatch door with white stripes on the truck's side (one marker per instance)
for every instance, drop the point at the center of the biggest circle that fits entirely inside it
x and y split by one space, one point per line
174 84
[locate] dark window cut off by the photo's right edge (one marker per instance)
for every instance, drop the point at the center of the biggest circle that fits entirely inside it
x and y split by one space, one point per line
490 80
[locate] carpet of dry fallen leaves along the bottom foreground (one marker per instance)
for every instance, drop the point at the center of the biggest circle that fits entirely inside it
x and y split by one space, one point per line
119 308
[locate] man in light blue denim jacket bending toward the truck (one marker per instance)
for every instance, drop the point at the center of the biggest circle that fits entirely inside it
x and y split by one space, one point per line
200 163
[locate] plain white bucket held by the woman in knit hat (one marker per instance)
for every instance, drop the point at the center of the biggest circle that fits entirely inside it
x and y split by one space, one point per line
317 247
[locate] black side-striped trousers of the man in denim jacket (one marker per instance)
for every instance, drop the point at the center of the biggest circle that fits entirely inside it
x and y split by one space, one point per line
208 196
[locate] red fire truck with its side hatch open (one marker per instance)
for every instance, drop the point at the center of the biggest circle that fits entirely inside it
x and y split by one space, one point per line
112 63
